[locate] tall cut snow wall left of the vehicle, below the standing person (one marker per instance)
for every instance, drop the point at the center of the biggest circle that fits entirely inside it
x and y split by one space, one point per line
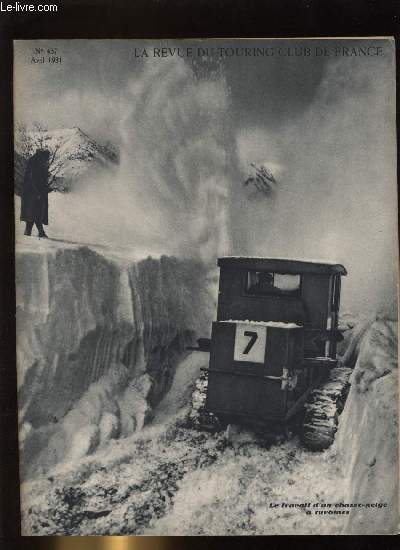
98 340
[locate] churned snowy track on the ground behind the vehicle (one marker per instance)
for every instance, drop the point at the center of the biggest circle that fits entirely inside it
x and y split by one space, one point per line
168 479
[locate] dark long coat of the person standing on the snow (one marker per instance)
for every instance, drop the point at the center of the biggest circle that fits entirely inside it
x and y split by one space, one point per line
35 189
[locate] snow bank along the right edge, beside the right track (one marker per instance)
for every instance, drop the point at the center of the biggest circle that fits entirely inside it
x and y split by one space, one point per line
367 439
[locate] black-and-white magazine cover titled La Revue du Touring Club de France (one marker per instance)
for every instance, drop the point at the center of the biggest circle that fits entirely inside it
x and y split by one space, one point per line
206 286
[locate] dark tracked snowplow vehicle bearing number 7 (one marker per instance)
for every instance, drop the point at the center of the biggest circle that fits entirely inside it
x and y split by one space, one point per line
273 350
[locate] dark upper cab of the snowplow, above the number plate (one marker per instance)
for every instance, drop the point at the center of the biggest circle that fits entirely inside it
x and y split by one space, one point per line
288 291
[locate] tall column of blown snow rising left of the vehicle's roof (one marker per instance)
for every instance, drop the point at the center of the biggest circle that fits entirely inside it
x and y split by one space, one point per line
175 160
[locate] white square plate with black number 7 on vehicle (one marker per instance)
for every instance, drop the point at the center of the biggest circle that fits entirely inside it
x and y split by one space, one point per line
250 341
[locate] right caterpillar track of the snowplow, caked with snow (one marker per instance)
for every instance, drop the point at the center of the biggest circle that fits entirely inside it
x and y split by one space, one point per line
323 409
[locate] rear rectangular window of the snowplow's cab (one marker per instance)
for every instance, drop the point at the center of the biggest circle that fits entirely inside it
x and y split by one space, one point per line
262 283
